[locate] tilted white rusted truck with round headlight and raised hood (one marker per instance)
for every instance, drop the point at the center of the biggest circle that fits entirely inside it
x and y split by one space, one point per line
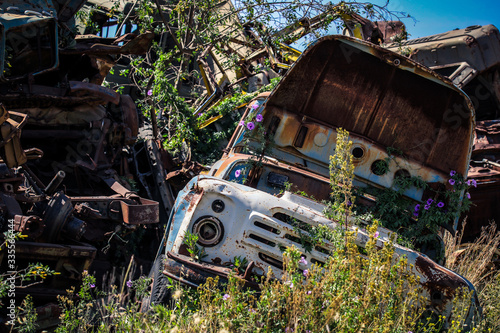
383 100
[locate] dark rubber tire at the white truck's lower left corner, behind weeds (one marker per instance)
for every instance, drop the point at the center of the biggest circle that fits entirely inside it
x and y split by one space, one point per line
160 292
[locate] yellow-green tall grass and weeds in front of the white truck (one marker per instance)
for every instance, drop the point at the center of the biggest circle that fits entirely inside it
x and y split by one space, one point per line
350 293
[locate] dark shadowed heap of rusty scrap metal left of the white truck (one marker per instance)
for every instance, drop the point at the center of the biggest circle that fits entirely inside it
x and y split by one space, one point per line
75 183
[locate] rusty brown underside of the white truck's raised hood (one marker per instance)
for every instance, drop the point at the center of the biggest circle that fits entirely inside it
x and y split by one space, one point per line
381 96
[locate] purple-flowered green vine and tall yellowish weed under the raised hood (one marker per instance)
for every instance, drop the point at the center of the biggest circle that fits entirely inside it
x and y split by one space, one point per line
417 224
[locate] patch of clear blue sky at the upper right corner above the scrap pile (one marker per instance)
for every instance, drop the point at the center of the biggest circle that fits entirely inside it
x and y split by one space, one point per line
443 15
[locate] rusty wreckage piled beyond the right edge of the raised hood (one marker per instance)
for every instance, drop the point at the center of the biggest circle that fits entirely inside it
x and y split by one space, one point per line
470 58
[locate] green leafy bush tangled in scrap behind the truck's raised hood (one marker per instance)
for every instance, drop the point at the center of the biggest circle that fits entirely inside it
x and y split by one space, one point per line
172 85
